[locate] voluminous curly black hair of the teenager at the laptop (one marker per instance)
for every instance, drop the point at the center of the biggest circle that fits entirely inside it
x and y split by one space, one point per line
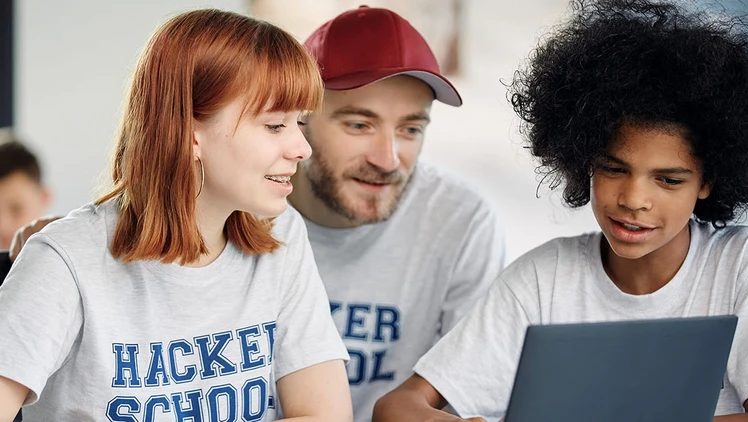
653 63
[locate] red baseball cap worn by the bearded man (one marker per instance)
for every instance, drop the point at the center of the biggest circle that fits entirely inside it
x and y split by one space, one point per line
365 45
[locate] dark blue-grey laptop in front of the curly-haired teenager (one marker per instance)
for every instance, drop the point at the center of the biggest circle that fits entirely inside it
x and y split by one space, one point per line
628 371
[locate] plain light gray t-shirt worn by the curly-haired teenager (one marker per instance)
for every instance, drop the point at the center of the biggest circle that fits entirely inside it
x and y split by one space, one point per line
563 281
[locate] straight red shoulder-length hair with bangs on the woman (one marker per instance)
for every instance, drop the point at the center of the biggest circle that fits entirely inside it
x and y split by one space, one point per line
195 64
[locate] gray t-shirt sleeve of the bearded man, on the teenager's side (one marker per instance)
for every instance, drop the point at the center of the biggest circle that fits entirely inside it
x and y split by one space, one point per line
482 257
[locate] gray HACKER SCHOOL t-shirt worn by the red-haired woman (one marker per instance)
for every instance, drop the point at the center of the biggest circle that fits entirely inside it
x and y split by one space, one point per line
97 339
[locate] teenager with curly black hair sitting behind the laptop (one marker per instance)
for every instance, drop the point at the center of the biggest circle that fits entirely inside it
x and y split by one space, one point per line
639 109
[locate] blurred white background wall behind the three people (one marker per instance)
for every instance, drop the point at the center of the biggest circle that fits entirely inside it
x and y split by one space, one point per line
74 57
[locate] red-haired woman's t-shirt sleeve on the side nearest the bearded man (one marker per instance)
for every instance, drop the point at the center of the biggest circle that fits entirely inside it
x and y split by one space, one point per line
306 333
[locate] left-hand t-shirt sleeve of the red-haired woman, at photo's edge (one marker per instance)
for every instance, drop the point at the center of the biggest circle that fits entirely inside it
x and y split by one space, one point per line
40 315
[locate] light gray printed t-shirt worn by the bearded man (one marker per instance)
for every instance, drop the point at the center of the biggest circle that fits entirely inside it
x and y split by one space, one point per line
395 287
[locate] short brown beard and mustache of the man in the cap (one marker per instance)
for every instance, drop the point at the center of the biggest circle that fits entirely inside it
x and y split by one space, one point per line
329 189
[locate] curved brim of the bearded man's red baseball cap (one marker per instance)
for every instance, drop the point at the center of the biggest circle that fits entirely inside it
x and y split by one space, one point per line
443 89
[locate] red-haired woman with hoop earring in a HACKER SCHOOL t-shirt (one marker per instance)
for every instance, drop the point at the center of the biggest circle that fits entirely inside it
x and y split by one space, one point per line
176 296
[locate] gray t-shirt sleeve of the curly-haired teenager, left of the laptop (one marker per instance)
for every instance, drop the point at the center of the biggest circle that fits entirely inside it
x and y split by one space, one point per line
473 365
